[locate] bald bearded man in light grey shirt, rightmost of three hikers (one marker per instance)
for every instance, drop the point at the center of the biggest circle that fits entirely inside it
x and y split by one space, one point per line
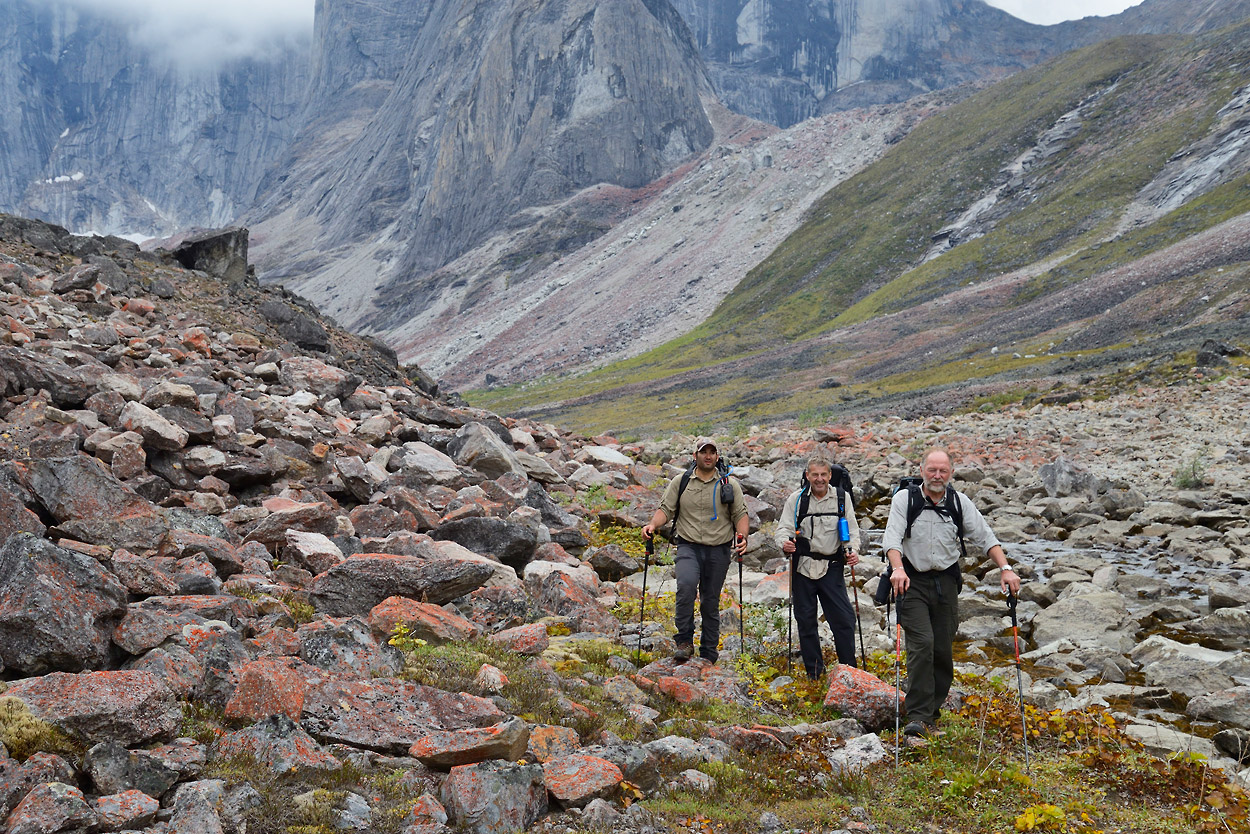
926 577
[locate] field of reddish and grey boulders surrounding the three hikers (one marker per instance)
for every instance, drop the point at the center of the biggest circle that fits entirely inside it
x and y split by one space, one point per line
217 510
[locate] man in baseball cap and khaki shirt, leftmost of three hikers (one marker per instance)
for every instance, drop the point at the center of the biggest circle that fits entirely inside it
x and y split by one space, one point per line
709 523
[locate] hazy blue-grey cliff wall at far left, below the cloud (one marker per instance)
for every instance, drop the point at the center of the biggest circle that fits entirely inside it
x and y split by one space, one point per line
101 133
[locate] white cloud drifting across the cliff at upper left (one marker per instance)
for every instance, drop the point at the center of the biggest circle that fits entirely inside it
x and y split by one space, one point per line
199 33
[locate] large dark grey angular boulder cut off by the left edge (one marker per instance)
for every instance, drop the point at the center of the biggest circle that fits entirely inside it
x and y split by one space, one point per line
58 608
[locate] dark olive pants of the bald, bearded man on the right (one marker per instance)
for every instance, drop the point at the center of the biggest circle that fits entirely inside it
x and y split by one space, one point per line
929 615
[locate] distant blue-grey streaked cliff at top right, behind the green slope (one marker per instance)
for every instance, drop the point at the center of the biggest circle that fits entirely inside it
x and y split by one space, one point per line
788 61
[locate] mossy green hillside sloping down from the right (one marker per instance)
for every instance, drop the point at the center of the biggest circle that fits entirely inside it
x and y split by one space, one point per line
789 324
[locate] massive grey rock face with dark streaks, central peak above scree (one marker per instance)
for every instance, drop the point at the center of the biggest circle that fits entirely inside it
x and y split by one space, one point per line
498 108
